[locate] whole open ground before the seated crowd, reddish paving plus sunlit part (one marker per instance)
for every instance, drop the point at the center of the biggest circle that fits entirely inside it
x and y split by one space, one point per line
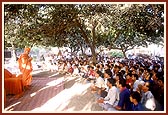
51 92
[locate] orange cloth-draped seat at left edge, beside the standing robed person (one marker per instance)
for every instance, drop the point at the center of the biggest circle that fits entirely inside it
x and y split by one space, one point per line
13 84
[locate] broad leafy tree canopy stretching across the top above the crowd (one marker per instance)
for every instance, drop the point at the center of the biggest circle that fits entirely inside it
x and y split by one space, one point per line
118 26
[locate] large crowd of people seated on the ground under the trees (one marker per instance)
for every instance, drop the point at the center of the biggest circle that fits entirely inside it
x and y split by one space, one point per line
127 84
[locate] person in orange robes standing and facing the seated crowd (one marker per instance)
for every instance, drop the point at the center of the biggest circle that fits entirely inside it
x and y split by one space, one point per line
25 67
